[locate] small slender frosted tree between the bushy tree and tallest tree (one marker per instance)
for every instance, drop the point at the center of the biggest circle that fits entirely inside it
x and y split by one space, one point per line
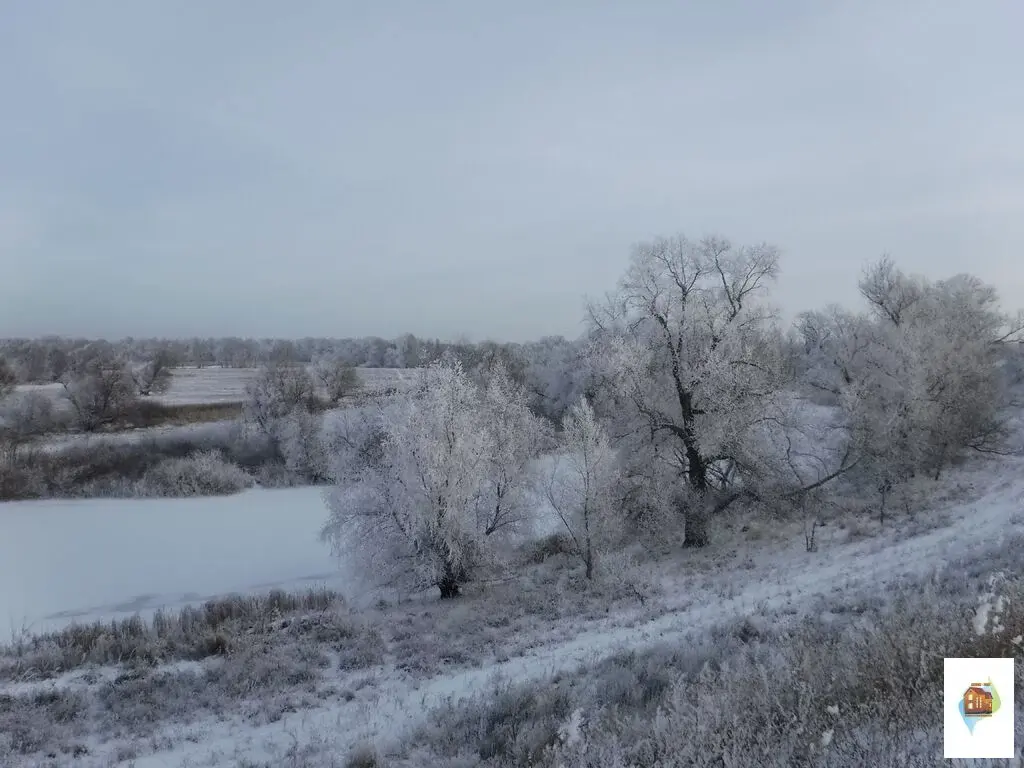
582 484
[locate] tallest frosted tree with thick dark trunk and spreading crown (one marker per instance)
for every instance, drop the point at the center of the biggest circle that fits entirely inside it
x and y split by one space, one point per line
684 345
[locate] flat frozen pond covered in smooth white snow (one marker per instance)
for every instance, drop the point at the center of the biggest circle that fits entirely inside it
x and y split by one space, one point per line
69 561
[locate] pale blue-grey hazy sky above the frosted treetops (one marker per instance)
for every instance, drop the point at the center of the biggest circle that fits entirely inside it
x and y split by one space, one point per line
476 169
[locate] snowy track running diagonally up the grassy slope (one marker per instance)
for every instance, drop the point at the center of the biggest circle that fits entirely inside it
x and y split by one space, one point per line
788 580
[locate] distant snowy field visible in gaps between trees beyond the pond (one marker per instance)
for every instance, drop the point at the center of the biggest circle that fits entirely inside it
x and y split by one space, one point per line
202 387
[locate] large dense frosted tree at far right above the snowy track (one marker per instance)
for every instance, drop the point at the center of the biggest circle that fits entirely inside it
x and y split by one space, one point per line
921 382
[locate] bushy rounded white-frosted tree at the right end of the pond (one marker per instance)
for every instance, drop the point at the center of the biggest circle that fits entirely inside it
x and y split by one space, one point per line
430 507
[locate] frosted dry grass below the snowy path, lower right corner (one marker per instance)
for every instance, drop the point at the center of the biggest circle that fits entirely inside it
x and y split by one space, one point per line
681 707
